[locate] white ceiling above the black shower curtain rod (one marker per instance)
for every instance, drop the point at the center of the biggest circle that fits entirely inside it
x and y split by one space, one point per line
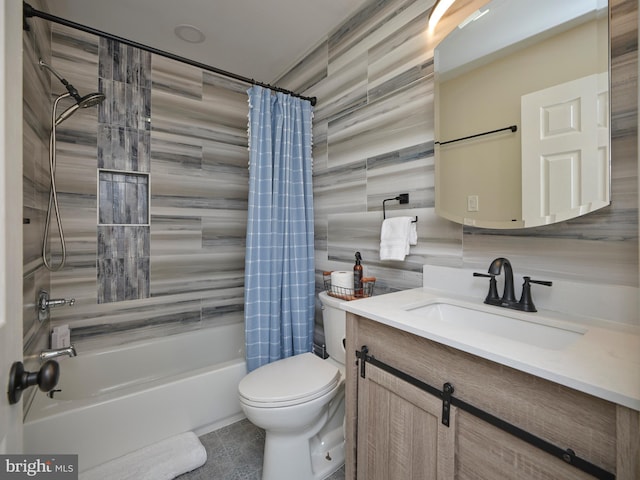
258 39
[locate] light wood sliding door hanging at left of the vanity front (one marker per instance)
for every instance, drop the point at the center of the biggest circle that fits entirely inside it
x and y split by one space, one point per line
400 433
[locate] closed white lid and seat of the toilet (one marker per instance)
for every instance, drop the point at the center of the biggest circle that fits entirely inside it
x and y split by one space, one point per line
291 380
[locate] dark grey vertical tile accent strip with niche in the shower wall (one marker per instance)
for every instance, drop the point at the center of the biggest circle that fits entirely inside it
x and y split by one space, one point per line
124 133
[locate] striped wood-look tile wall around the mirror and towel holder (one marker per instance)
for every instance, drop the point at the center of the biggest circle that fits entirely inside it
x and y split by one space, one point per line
373 139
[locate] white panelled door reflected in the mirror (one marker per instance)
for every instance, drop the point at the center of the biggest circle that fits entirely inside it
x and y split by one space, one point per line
565 150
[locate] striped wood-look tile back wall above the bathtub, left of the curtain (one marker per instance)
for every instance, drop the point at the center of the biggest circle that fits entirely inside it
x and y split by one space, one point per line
194 139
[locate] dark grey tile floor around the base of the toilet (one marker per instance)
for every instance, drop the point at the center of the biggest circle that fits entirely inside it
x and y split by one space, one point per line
235 453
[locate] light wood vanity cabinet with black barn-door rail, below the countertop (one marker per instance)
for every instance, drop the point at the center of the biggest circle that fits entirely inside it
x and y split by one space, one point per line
395 429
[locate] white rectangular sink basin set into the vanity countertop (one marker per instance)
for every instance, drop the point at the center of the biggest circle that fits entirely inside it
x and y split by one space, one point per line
540 331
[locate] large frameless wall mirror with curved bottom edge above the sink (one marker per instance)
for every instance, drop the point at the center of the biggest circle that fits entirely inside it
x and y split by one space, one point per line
522 114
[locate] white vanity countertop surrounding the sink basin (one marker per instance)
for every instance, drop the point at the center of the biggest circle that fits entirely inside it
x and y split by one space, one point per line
603 360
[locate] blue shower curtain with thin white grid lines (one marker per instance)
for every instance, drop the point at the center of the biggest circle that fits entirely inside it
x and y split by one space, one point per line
279 300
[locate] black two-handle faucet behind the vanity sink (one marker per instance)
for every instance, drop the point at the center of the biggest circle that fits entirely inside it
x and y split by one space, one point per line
508 298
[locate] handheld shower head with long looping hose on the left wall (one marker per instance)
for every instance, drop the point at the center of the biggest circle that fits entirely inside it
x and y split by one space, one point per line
89 100
